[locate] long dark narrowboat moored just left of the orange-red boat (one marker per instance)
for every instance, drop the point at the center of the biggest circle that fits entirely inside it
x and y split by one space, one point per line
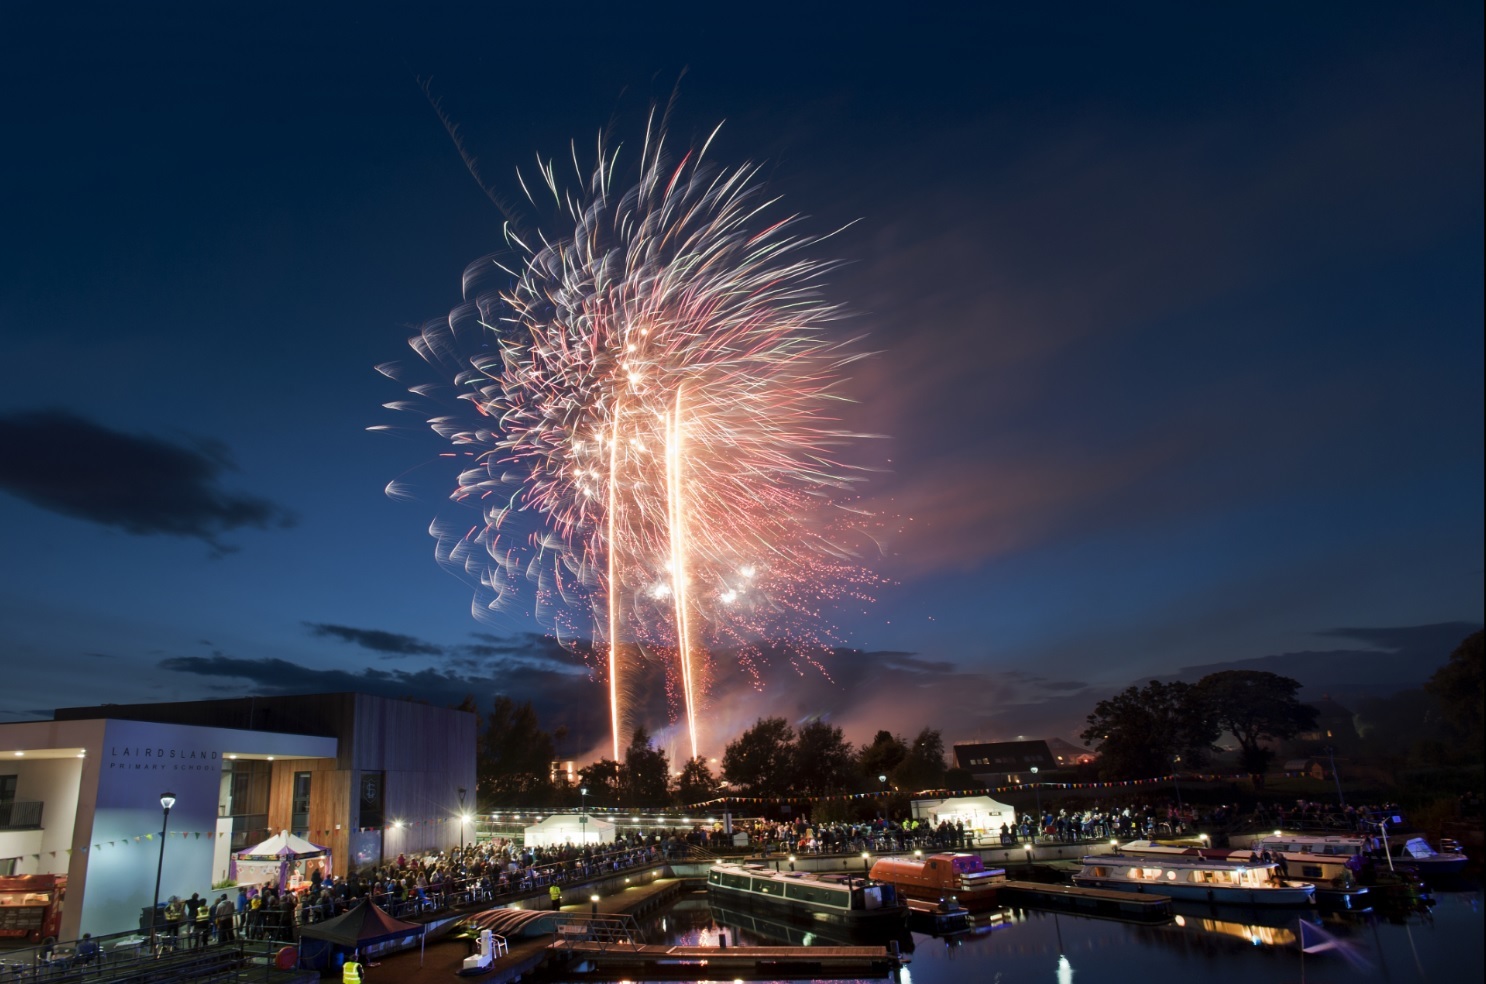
842 900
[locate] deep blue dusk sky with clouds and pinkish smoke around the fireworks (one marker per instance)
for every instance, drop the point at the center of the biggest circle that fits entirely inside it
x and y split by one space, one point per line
1176 316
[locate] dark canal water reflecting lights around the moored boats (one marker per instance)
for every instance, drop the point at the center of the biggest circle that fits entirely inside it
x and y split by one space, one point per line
1406 943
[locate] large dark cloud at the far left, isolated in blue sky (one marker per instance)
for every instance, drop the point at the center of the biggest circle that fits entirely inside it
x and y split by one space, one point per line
142 485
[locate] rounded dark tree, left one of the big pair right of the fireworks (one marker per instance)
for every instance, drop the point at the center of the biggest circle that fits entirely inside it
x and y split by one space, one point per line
1142 731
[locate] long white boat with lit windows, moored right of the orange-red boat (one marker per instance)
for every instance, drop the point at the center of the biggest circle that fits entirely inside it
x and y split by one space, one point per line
1203 879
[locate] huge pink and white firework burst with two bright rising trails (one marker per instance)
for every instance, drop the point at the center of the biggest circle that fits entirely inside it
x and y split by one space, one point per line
653 381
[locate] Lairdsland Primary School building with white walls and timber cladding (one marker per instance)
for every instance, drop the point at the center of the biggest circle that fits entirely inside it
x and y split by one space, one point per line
369 778
